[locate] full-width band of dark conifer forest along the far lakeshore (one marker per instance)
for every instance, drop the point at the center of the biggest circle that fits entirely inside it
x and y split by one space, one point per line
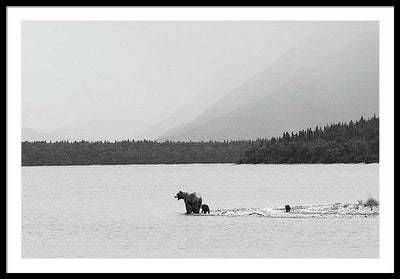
353 142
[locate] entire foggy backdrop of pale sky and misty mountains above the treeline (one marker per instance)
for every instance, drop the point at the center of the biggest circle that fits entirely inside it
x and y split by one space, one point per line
194 80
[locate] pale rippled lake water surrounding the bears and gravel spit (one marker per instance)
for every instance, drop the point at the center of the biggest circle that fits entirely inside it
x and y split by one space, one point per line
130 211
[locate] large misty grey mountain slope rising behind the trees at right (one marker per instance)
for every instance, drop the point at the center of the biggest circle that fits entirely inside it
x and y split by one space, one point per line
332 75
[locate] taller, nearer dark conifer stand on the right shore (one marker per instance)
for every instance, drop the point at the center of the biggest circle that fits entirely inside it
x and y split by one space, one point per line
336 143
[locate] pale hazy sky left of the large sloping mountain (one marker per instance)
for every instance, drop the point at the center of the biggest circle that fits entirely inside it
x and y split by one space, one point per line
116 80
